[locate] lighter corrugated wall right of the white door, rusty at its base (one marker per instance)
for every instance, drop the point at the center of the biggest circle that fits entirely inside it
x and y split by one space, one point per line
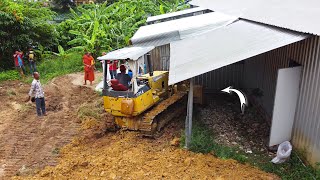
306 133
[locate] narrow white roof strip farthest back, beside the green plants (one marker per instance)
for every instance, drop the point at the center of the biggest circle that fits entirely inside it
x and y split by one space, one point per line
175 14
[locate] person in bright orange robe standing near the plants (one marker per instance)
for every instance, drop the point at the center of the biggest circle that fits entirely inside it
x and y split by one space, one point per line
88 63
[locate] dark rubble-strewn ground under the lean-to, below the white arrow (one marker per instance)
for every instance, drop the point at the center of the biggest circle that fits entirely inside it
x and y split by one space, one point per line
248 132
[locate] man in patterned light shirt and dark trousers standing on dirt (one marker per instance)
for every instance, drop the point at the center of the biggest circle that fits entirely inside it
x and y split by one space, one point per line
36 91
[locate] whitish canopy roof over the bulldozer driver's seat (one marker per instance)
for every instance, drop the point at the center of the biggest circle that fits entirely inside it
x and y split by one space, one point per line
132 53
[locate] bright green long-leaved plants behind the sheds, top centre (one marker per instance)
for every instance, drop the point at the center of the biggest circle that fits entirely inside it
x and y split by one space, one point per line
103 27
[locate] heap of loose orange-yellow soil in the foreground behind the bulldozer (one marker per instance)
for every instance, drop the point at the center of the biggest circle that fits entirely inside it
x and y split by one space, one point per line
126 155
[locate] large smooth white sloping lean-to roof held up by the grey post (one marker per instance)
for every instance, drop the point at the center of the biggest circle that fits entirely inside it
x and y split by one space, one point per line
238 41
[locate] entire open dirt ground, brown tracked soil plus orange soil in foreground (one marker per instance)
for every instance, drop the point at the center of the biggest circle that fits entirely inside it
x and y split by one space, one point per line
71 142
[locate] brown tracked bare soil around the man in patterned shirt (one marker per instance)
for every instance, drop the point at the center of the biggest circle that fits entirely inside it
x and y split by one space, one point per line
28 143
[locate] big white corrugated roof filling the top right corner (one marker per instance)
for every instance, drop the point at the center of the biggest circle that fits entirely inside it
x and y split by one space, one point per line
296 15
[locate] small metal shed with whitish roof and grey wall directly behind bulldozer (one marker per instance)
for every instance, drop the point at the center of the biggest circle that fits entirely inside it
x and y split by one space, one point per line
161 34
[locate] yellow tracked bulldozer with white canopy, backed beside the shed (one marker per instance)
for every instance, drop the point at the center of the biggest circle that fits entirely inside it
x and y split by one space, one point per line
149 103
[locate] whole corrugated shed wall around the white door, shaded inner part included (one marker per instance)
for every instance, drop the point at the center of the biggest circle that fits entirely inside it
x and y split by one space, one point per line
261 72
